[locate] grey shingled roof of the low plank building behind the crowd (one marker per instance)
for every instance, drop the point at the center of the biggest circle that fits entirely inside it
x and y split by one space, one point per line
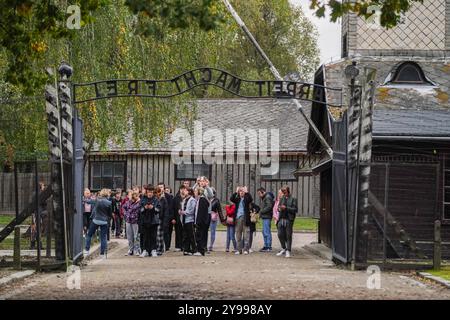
242 114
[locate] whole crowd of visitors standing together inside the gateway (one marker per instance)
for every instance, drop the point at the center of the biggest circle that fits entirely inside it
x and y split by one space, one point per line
152 214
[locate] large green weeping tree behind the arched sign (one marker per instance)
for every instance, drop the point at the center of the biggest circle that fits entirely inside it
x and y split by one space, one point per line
117 43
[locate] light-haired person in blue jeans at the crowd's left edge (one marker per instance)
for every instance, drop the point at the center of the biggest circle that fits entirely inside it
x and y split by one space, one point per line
102 213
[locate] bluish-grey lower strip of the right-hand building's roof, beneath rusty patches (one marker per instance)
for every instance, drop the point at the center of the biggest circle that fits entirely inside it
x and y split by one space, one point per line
423 123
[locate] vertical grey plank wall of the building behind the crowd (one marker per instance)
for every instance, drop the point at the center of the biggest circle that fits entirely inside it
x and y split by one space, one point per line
153 168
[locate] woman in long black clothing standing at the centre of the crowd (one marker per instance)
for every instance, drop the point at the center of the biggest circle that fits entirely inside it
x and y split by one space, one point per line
202 220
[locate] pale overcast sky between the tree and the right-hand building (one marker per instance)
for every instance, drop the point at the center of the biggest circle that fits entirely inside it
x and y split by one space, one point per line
329 33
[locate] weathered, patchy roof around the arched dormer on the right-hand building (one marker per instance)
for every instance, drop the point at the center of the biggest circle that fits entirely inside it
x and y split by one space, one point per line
402 110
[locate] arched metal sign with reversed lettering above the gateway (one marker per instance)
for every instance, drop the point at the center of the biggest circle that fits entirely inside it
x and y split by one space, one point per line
84 92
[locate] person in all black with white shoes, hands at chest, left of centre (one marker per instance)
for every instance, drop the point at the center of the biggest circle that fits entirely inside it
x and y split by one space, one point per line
150 221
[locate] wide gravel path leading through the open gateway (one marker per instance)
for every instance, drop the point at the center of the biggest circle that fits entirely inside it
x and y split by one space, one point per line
221 275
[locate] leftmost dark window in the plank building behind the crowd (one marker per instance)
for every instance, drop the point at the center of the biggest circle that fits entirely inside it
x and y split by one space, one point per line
107 174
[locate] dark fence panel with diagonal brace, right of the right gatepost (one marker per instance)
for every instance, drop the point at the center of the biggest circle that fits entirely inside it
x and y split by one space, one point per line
404 198
